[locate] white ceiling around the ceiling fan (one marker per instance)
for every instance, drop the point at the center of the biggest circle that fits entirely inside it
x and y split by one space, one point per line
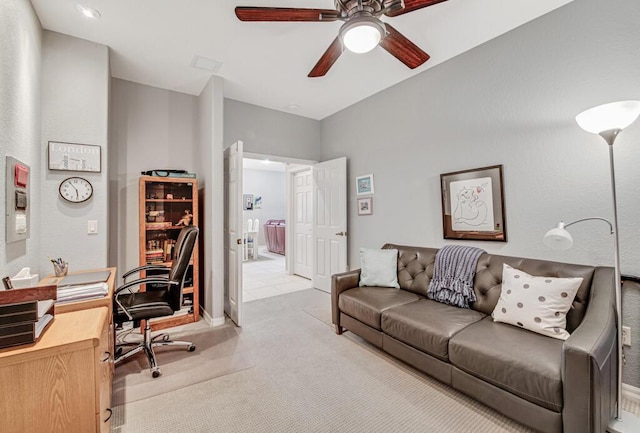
266 63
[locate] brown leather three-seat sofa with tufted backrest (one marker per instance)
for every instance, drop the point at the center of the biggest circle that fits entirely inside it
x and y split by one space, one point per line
548 384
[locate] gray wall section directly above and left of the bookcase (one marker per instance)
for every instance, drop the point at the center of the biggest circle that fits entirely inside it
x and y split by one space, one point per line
150 128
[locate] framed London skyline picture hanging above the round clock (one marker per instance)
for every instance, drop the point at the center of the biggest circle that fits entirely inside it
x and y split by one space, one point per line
74 157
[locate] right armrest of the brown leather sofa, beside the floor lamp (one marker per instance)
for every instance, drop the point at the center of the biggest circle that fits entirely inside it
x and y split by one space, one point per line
589 361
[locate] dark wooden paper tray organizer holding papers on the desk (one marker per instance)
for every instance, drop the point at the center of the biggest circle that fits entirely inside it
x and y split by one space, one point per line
25 314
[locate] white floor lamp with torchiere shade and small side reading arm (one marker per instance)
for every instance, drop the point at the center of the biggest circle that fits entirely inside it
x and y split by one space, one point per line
608 121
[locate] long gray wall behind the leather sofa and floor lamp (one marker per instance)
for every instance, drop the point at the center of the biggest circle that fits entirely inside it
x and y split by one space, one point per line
511 101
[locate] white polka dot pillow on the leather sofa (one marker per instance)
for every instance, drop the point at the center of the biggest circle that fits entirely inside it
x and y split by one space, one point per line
539 304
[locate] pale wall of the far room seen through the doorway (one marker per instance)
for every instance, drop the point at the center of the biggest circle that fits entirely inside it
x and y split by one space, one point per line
270 185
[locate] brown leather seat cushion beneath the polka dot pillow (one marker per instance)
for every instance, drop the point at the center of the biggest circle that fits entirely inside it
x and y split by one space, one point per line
516 360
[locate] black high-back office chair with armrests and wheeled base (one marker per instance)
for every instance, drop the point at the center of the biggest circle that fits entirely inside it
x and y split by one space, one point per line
162 299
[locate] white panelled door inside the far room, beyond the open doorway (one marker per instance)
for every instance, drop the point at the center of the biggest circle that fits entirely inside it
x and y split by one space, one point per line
303 223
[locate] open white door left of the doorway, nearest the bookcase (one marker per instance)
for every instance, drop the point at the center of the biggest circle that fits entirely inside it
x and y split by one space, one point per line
233 232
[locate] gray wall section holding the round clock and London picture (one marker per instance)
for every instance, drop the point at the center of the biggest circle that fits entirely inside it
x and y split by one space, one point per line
75 108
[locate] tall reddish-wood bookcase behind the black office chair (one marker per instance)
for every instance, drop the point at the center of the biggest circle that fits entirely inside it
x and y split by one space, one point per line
167 204
